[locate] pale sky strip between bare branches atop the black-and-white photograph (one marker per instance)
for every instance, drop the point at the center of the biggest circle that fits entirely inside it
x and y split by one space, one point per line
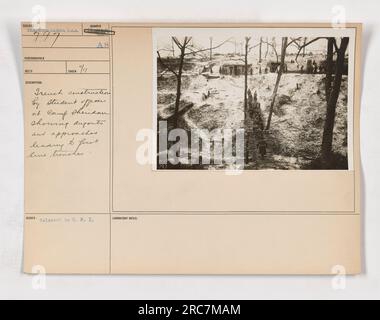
235 43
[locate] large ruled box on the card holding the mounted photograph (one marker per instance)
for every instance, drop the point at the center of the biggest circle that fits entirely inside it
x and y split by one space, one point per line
237 112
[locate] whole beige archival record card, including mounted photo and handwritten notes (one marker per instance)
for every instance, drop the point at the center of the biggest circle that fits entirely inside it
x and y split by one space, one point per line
106 194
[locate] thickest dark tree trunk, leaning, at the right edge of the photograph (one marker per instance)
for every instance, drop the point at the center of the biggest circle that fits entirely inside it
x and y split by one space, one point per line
331 105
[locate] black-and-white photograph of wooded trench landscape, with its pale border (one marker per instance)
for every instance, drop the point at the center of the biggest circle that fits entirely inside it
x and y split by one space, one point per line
251 102
